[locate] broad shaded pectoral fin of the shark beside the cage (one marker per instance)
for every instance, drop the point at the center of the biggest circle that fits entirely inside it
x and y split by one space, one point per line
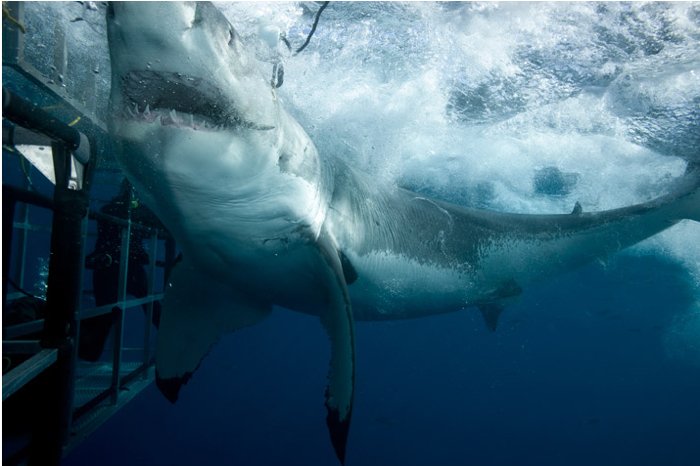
197 310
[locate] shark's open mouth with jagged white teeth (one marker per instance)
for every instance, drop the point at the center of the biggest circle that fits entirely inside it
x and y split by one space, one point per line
178 100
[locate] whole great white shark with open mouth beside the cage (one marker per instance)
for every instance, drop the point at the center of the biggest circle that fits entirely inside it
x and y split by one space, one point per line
263 220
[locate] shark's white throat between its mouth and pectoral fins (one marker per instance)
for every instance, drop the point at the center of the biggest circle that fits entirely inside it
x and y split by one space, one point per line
250 233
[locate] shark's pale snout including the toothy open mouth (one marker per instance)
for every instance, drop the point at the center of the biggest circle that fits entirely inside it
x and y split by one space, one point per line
183 69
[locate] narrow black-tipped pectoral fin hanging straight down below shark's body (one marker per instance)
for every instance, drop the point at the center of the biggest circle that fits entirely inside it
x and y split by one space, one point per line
338 321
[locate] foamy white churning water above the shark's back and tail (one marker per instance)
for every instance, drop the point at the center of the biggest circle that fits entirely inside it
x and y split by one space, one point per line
468 102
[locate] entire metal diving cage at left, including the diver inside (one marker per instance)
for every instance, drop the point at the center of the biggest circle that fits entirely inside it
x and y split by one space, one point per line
83 270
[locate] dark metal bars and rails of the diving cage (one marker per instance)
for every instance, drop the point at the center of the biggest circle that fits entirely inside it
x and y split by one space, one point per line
64 424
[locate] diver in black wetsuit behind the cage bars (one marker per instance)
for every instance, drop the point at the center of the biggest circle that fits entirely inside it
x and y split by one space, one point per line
104 261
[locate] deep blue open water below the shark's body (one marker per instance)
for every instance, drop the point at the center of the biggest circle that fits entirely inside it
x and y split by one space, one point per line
577 374
